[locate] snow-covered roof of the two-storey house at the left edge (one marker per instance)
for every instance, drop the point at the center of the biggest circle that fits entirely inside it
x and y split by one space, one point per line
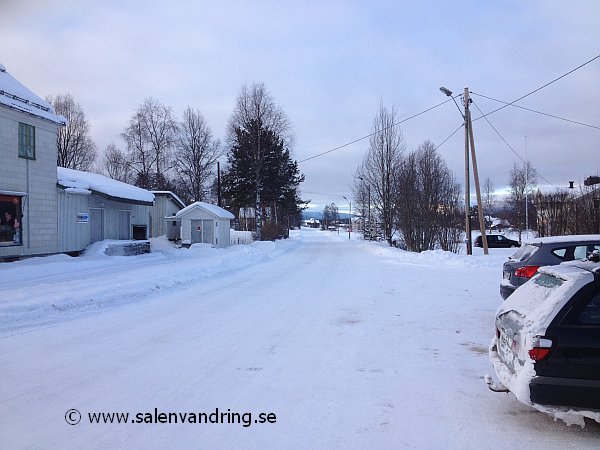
14 95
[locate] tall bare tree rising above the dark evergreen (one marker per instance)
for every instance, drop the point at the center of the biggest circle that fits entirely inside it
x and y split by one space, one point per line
256 115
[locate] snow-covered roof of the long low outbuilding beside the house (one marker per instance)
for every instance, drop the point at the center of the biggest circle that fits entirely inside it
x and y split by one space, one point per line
76 181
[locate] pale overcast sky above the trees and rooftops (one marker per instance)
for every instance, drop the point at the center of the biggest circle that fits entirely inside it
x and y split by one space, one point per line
329 64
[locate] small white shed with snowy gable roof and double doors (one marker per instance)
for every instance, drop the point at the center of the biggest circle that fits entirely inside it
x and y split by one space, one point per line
204 223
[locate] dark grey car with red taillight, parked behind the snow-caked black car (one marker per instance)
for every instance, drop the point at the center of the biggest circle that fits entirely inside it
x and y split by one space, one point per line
546 251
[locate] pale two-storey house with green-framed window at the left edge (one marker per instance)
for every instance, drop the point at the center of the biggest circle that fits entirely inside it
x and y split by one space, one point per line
28 151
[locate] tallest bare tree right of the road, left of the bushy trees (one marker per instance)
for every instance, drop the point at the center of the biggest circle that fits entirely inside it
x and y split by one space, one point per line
381 165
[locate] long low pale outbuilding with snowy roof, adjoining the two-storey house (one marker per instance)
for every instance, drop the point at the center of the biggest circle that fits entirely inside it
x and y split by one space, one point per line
92 207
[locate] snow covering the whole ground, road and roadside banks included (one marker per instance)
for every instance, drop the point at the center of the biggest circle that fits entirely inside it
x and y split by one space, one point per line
346 343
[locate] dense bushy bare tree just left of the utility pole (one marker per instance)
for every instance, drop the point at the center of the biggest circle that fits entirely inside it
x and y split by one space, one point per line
428 201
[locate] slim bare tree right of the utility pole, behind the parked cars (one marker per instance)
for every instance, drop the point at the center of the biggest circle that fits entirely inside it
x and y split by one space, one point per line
520 199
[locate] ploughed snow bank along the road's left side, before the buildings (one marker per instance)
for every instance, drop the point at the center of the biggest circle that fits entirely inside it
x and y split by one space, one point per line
58 283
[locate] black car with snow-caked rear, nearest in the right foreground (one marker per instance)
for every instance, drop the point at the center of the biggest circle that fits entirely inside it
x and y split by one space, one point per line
546 349
